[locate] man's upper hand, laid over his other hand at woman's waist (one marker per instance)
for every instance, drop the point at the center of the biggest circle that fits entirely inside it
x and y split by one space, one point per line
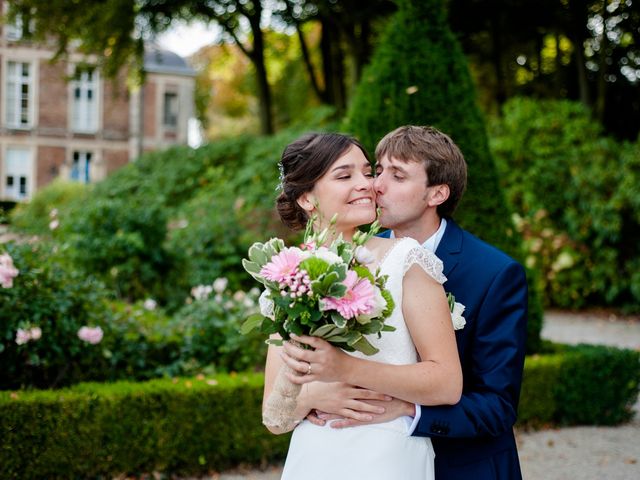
341 400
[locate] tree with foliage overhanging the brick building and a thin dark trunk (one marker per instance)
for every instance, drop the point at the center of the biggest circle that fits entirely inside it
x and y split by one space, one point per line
115 31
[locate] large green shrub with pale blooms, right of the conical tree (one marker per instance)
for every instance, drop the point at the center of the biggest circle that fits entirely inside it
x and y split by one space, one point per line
576 196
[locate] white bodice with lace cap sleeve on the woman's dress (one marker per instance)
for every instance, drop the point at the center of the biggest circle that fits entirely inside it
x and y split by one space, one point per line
397 347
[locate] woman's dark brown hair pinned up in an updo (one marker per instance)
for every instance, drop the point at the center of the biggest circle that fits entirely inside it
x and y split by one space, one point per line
303 163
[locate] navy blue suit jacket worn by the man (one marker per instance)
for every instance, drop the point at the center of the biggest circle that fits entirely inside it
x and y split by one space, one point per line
474 438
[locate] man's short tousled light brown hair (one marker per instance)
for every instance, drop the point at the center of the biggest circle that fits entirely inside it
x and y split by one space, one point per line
442 159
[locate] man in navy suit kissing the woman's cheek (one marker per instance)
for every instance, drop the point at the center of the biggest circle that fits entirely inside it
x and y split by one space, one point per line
421 176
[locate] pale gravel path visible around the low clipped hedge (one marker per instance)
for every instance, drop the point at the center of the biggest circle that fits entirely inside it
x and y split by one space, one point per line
576 453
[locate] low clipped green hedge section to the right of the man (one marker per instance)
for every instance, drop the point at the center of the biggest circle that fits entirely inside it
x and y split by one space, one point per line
586 384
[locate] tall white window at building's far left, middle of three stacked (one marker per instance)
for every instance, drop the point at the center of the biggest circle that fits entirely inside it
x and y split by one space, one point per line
19 94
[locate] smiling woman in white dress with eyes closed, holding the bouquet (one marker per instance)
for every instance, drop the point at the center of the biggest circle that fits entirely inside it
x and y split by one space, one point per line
325 174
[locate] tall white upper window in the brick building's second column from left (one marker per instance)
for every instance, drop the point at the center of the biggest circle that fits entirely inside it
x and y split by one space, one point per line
85 101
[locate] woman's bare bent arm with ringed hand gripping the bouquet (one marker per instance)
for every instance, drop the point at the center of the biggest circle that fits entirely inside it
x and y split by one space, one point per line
435 380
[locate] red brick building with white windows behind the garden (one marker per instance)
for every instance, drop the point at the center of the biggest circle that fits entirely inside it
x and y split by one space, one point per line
63 119
